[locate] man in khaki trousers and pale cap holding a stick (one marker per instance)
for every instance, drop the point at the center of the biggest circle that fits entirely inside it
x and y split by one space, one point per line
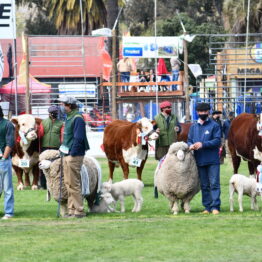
73 148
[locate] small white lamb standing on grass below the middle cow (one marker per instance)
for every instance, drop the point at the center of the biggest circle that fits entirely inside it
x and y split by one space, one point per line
124 188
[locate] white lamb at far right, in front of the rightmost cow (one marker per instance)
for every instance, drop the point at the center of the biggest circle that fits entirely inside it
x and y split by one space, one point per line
243 185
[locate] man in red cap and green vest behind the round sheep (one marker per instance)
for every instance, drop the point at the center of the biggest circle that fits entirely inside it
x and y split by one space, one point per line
168 126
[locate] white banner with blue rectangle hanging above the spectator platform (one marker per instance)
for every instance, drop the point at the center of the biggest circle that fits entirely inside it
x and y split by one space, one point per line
152 47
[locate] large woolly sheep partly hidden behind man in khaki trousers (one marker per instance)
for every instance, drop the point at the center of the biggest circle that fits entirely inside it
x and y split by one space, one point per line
50 163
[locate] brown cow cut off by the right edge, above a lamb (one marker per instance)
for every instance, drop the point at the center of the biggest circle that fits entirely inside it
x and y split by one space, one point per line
243 138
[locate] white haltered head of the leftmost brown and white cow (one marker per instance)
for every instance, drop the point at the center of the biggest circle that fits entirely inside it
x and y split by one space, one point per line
26 127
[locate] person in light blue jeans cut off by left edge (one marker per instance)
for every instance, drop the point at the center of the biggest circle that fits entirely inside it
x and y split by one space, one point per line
6 144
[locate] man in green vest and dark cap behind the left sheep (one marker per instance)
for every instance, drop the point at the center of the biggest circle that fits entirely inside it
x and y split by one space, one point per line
51 130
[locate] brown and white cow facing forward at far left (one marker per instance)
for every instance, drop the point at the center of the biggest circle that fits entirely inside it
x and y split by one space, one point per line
26 150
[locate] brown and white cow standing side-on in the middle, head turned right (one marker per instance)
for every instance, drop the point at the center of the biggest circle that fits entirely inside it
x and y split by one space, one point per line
126 143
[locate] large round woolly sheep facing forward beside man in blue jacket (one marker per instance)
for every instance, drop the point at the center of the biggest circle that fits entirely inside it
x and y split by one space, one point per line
177 177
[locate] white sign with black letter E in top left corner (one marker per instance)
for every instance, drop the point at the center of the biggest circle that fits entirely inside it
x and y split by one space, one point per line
7 19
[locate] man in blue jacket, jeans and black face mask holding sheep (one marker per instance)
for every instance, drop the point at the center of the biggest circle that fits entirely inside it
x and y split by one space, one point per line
205 138
